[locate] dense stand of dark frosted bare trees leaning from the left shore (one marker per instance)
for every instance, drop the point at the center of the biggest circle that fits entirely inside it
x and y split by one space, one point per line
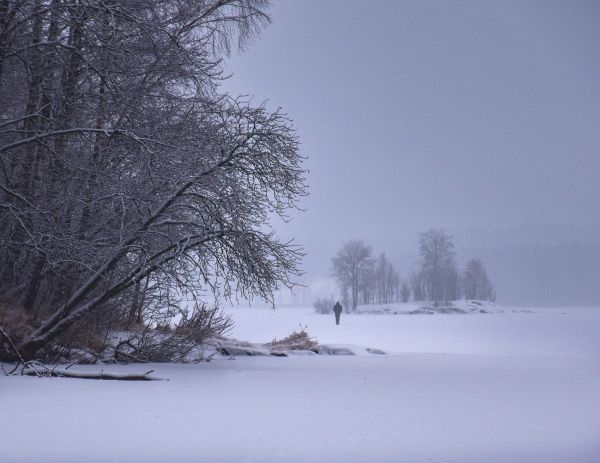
127 181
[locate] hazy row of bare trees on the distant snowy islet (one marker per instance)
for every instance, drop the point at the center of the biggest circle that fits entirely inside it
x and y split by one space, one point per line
364 279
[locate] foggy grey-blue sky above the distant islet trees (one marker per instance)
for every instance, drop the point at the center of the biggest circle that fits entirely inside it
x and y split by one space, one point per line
482 118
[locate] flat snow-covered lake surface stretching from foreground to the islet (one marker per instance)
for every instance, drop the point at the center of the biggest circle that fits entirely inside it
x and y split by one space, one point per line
512 386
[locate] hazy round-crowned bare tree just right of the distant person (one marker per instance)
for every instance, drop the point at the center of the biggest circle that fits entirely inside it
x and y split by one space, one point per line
352 267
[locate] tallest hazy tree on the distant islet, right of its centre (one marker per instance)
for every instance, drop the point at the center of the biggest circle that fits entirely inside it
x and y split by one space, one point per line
438 266
